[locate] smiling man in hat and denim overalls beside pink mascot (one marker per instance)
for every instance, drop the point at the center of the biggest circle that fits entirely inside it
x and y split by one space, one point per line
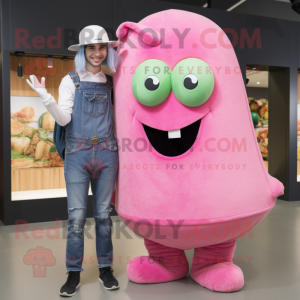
85 106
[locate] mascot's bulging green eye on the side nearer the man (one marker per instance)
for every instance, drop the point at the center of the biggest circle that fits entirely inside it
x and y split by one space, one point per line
151 82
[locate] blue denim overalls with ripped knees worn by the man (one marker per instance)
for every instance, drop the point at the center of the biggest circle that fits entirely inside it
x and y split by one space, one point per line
90 155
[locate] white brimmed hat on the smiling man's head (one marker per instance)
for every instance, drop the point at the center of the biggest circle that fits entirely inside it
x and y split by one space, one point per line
93 34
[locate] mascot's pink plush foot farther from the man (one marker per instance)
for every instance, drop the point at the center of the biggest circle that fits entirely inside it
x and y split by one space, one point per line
221 277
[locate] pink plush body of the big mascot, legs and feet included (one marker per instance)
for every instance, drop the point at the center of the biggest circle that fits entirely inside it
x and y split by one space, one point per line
211 194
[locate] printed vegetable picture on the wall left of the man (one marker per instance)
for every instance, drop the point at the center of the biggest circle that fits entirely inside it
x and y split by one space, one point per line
31 146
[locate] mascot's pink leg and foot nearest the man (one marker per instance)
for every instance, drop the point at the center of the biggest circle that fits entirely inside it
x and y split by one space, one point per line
163 264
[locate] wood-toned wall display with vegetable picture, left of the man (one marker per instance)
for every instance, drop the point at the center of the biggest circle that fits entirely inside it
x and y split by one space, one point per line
37 170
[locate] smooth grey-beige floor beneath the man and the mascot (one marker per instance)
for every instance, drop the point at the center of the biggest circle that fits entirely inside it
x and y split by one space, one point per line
273 271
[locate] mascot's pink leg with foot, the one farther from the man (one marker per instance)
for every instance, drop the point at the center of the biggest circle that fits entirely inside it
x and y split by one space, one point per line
213 268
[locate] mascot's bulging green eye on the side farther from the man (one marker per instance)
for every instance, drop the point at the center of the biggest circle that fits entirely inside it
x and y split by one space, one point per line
192 81
